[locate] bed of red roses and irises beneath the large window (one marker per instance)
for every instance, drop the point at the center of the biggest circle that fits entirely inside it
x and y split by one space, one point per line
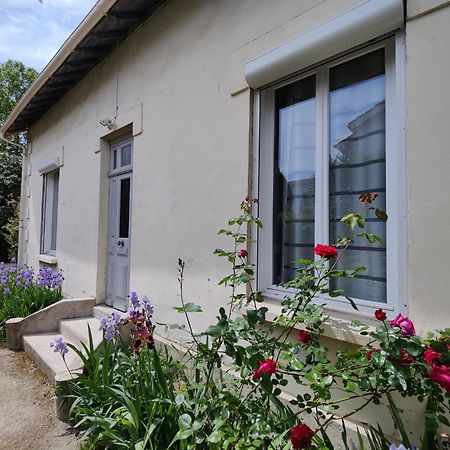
225 390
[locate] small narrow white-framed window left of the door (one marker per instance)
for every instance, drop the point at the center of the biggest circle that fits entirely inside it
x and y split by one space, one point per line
50 213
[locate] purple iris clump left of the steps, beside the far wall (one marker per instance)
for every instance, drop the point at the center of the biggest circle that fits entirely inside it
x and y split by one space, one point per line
22 292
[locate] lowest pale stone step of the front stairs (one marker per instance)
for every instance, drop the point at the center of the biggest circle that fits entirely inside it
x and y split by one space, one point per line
51 363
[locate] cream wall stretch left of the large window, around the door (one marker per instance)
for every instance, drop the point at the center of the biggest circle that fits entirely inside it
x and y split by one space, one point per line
191 159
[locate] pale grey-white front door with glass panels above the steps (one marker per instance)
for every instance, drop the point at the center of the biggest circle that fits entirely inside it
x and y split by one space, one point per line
119 229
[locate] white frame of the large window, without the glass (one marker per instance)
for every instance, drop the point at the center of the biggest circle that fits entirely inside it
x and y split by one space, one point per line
395 176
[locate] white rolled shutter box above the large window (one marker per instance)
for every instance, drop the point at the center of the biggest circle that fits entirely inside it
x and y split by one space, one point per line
357 26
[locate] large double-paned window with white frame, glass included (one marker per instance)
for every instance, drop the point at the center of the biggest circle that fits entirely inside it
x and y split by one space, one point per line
327 136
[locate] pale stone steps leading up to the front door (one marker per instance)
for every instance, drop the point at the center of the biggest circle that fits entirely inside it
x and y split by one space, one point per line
72 330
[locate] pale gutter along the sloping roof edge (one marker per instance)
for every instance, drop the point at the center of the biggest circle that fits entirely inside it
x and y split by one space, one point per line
97 12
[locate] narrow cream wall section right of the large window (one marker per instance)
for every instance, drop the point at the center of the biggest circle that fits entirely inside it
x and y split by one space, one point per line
428 137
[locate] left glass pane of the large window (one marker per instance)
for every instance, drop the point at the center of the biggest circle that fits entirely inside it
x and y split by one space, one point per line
294 177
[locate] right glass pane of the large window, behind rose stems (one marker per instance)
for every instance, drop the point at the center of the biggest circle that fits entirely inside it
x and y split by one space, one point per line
358 164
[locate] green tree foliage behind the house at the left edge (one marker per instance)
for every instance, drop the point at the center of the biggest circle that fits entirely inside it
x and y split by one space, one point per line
15 79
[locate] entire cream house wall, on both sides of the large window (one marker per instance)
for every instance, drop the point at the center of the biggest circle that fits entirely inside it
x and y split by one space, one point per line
174 79
